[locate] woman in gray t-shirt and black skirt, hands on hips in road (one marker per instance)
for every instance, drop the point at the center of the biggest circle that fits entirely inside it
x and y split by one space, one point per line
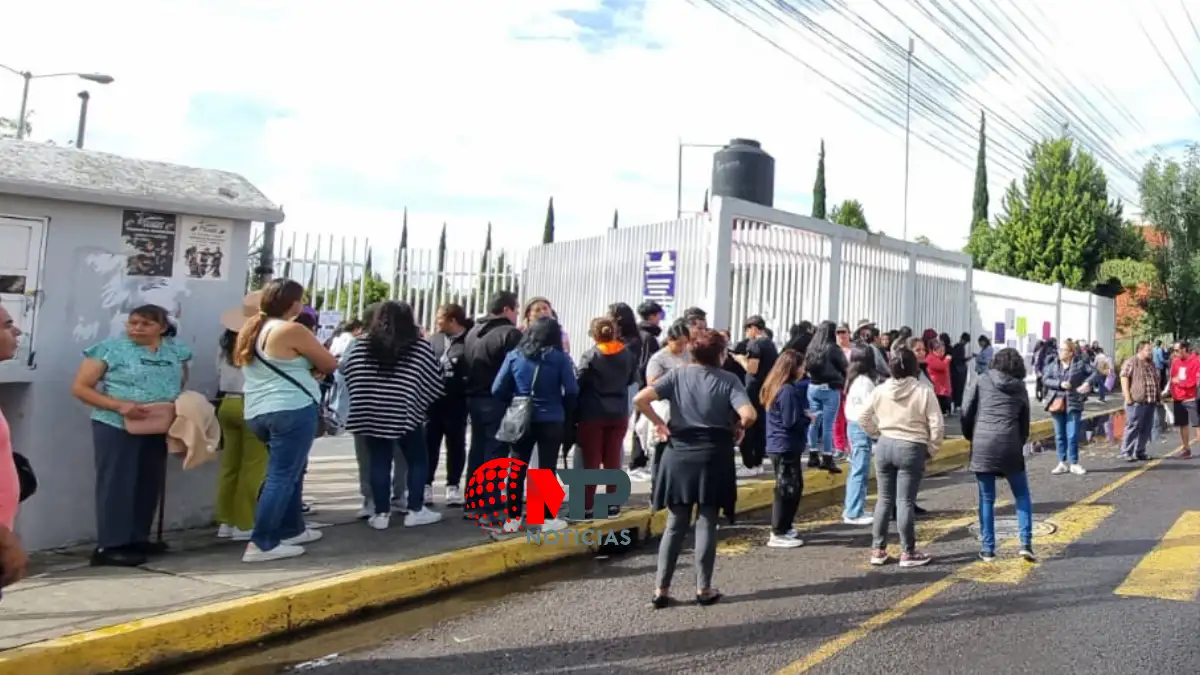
710 410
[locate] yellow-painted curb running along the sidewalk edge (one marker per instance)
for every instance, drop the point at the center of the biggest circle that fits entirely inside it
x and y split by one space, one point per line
206 630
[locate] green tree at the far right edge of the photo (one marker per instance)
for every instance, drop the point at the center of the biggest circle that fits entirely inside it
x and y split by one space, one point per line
1171 201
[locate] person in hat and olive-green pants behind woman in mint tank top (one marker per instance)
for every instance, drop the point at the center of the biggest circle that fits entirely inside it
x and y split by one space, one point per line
244 456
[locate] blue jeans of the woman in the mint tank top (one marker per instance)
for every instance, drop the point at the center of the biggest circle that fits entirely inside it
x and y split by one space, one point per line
289 438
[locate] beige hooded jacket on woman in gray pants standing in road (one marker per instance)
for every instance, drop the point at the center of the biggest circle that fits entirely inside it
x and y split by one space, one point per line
905 411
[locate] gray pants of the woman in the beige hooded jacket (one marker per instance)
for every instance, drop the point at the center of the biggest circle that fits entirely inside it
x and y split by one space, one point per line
899 468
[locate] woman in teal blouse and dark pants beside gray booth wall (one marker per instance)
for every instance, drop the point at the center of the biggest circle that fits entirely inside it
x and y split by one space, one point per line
117 379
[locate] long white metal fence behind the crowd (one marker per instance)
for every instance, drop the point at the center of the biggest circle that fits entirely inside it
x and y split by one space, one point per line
740 260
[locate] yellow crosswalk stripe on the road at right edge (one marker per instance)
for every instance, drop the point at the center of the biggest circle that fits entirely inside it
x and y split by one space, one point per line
1171 572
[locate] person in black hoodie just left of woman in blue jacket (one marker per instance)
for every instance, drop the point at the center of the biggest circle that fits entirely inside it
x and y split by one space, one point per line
485 348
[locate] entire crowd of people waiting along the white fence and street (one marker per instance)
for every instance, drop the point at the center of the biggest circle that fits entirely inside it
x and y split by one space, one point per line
687 401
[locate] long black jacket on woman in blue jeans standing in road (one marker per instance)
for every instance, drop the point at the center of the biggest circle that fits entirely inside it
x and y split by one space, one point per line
997 422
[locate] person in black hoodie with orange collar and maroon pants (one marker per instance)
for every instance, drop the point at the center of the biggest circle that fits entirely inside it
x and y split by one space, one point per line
607 373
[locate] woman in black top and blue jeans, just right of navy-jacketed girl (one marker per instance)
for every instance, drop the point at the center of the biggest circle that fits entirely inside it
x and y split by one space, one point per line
826 365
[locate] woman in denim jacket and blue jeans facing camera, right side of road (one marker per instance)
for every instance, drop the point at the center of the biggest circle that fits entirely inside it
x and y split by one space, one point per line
1067 386
